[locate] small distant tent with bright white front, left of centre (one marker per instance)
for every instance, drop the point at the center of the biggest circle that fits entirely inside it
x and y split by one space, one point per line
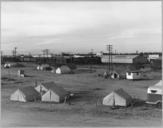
63 70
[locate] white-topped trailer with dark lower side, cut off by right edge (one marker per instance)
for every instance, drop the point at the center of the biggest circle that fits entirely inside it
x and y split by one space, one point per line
154 93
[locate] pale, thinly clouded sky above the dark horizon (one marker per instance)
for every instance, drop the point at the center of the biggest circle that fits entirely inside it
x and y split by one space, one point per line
81 26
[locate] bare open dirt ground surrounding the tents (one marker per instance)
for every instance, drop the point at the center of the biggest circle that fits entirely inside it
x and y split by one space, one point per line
85 108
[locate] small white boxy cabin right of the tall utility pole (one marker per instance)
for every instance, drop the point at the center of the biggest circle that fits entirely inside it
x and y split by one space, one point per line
134 75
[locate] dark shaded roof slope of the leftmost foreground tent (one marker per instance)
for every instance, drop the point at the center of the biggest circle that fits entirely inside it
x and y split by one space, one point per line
29 91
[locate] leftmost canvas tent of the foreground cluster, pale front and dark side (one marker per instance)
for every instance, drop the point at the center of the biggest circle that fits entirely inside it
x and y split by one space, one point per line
25 94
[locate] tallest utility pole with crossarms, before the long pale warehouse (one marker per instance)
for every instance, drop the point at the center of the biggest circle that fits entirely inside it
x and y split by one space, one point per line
110 66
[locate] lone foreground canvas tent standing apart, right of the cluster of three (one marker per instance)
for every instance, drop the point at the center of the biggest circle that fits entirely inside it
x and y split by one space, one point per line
117 98
